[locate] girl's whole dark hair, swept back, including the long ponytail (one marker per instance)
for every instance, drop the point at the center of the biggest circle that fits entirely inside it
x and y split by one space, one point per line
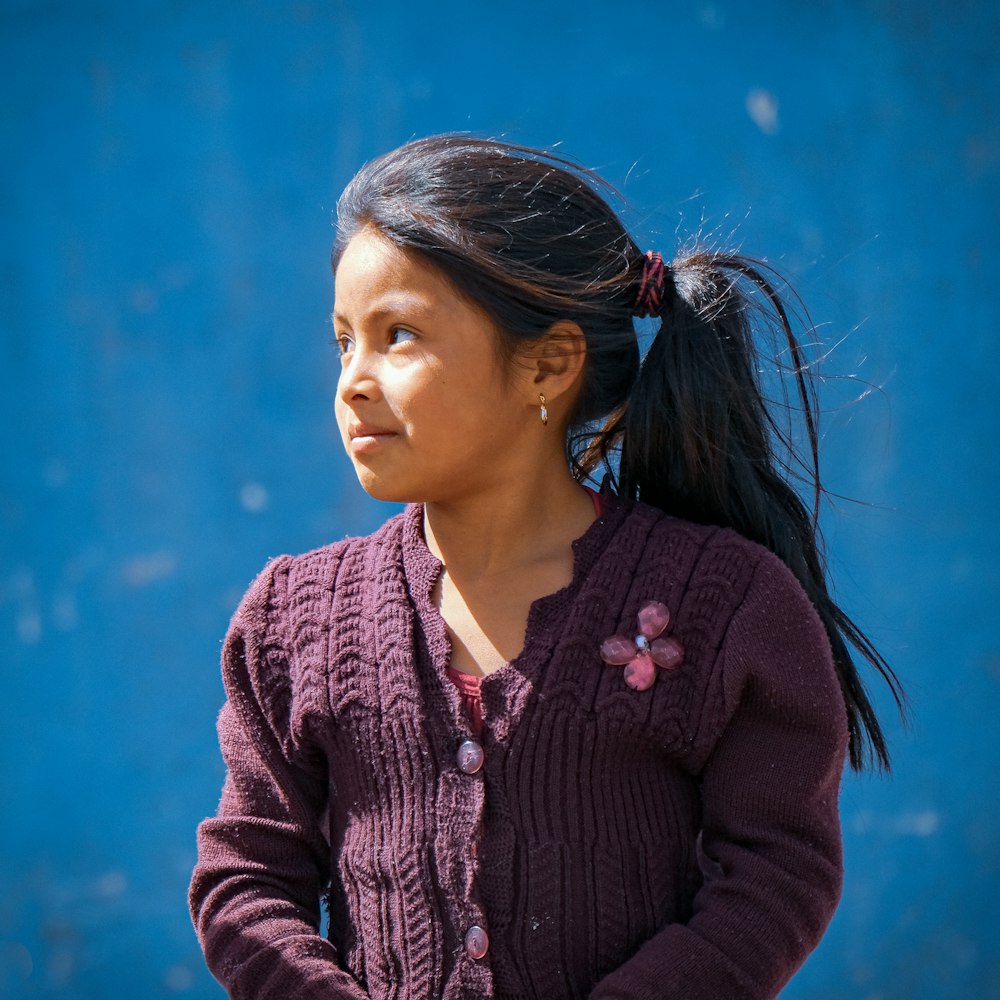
529 237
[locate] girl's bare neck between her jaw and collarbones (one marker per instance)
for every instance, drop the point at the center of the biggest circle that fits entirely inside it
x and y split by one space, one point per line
513 526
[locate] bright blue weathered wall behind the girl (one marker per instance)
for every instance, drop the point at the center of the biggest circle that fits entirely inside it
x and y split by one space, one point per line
167 179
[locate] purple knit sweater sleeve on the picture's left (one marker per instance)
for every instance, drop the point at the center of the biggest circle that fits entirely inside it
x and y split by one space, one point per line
263 859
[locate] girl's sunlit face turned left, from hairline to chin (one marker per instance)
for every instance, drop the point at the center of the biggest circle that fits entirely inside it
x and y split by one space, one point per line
423 405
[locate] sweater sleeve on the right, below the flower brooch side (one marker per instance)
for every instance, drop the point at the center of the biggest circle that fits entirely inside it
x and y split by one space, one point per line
770 820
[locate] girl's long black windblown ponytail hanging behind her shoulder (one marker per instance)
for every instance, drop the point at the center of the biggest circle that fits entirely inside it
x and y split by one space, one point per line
697 438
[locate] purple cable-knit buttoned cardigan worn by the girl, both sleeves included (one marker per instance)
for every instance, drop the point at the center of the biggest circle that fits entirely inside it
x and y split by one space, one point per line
677 843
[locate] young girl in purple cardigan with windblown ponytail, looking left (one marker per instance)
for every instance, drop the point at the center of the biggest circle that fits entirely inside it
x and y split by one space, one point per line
533 740
